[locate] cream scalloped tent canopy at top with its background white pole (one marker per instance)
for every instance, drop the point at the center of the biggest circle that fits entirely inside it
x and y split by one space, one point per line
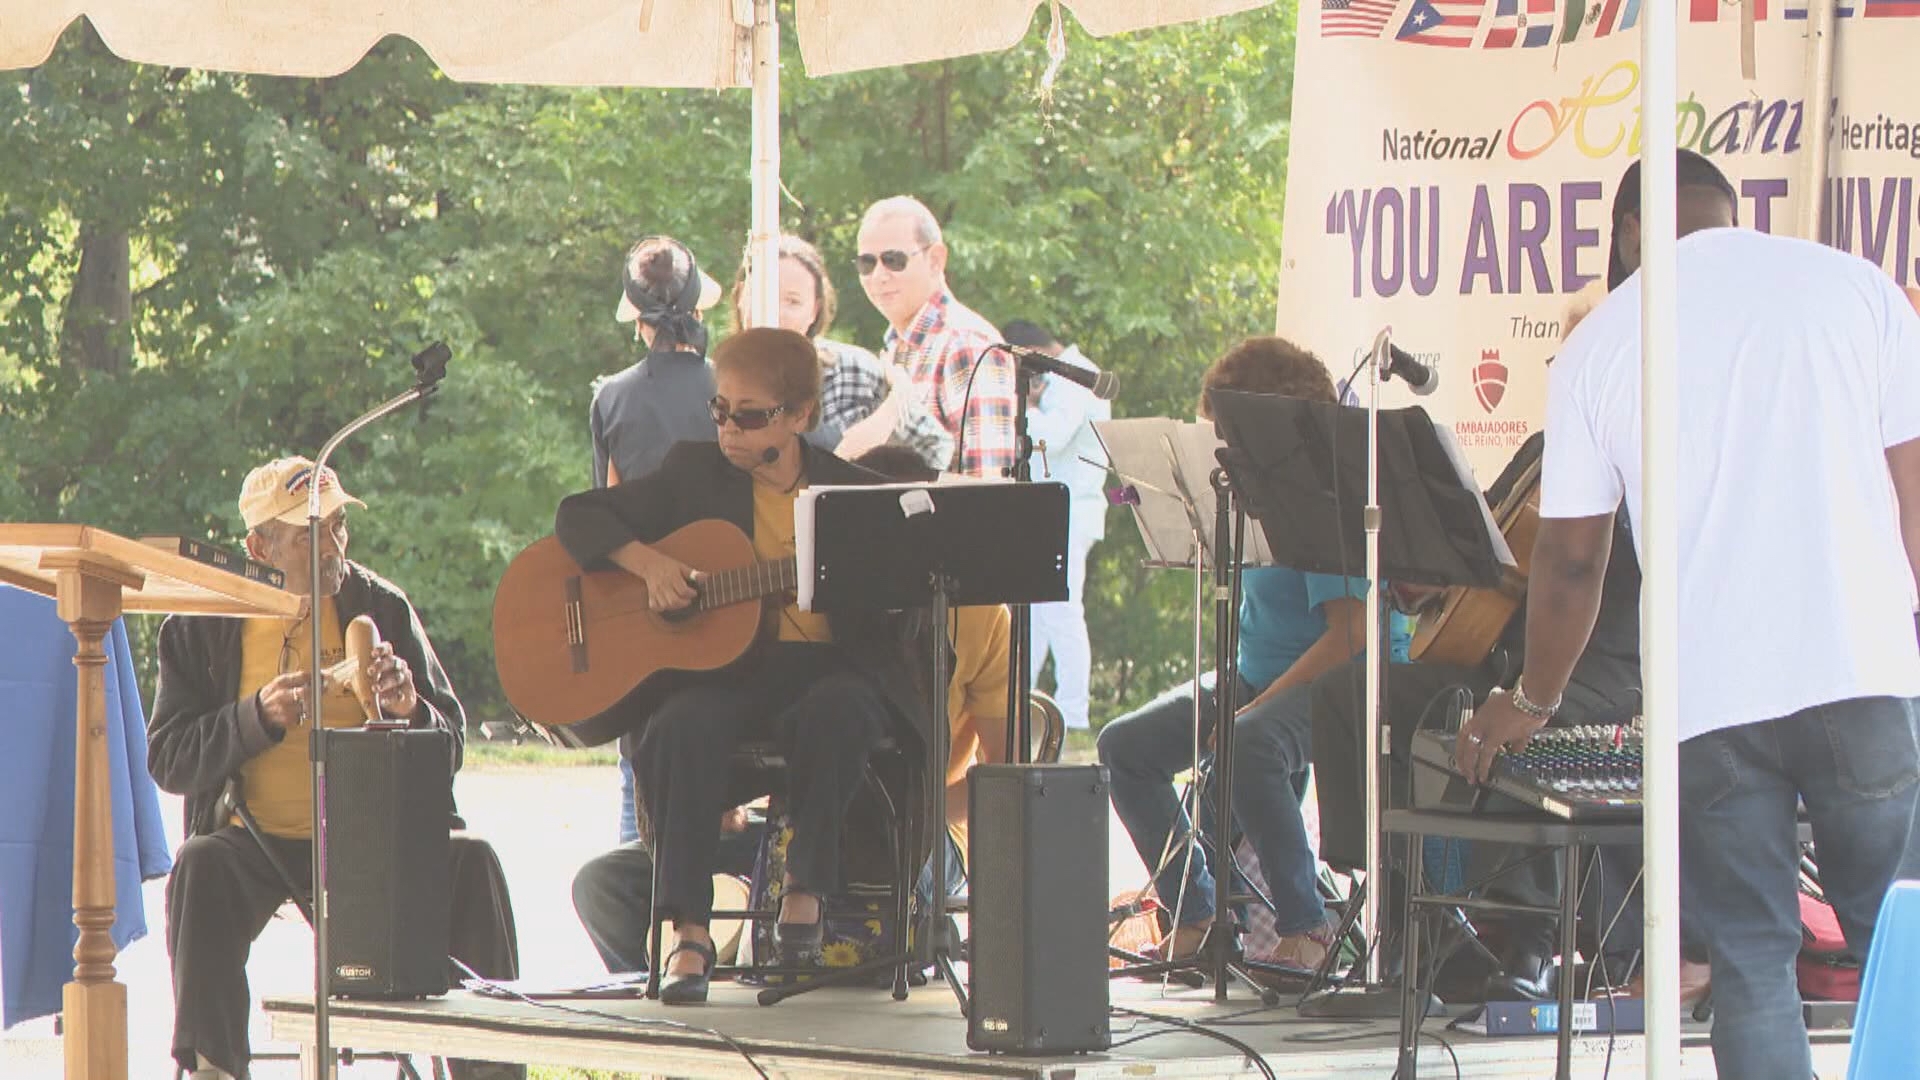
581 43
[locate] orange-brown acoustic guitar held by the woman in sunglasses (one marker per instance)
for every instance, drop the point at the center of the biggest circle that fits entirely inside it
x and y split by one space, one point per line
573 645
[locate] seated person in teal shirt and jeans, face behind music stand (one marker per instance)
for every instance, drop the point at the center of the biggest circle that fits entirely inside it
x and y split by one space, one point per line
1293 629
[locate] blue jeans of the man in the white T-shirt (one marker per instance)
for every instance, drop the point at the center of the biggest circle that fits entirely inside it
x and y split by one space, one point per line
1858 768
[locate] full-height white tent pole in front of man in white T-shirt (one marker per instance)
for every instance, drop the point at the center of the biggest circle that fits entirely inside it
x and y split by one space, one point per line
1660 337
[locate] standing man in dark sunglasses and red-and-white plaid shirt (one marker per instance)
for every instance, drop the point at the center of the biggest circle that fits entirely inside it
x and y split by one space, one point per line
940 343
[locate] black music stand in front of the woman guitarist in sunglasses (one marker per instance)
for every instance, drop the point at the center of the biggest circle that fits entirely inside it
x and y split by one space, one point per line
903 547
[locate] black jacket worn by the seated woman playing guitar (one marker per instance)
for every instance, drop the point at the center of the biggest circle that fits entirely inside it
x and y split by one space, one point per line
698 483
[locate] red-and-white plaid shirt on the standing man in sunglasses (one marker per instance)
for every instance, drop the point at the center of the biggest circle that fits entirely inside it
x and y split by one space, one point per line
940 353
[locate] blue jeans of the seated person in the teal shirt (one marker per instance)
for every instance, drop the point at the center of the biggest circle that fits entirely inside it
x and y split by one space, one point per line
1272 749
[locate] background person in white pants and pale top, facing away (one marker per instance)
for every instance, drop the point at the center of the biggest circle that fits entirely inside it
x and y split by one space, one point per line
1061 418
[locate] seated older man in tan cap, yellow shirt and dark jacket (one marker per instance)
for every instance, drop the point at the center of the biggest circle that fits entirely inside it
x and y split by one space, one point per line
231 710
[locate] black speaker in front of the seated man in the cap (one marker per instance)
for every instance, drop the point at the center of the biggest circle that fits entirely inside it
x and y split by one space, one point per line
389 814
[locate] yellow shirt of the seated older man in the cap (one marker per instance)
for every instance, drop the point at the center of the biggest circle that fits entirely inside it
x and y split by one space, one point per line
277 783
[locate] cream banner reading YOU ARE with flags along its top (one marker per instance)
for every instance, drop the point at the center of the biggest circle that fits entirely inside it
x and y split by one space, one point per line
1454 164
